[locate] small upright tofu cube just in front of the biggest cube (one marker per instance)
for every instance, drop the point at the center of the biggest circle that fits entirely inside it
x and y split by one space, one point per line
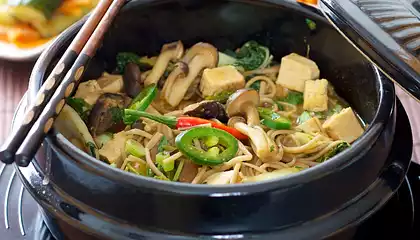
315 97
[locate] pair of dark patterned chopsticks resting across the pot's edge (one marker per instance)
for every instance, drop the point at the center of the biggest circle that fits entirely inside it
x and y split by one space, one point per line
23 143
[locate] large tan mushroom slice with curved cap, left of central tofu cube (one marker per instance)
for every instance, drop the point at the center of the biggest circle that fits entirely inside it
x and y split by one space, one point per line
199 57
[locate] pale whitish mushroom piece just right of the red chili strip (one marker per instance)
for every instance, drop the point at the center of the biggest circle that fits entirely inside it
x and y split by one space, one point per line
265 148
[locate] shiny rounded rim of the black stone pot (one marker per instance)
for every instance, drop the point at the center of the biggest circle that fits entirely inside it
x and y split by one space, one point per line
386 104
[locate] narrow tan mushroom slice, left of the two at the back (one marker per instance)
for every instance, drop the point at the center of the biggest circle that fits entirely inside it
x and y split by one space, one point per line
172 51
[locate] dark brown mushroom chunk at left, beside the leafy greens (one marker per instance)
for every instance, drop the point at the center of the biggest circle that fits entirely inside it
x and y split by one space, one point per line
106 113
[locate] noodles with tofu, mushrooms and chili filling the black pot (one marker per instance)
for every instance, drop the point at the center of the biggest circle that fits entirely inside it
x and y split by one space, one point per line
204 116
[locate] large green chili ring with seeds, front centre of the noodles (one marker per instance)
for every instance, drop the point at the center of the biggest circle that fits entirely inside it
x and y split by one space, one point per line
184 143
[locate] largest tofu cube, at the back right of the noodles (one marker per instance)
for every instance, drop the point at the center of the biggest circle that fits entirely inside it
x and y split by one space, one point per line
295 70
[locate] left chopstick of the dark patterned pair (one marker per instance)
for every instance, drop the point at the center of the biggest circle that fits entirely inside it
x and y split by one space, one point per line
12 143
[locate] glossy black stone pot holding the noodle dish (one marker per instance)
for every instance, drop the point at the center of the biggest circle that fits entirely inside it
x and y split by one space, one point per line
323 201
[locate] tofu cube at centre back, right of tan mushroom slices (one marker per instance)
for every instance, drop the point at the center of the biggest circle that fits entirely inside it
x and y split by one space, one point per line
221 79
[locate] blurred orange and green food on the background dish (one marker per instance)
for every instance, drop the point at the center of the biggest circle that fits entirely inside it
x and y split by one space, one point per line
31 23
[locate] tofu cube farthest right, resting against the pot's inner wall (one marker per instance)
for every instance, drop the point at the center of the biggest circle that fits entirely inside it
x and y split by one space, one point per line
343 126
